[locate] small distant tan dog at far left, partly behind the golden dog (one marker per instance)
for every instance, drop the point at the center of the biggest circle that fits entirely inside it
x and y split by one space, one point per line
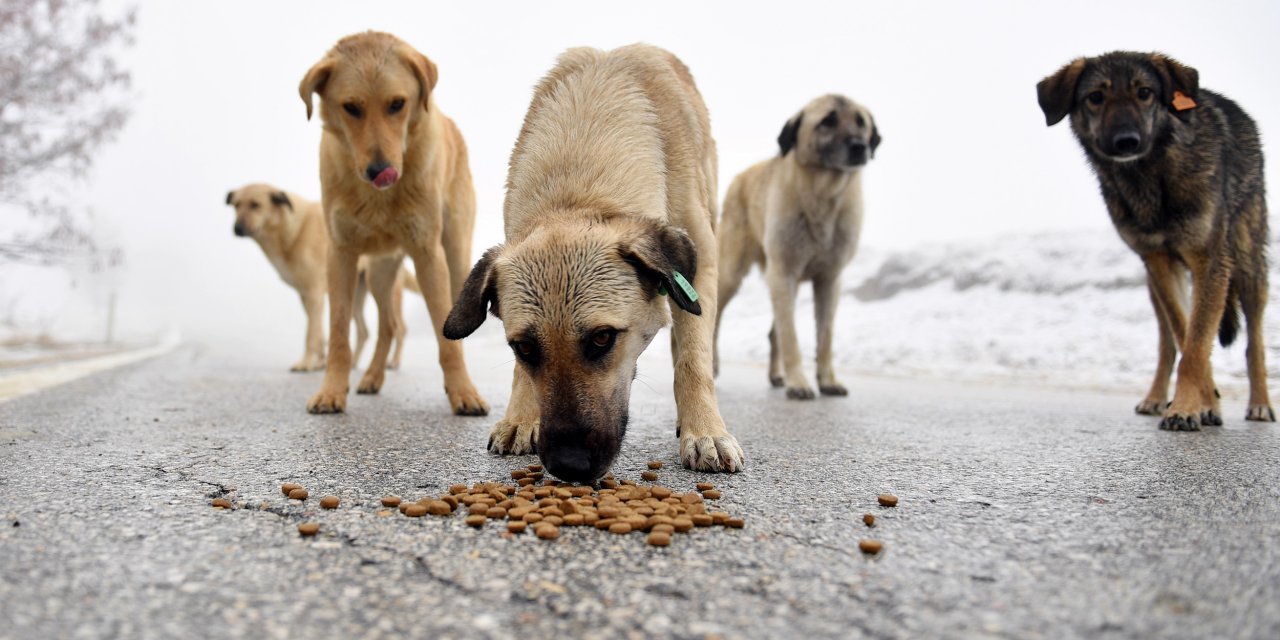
290 231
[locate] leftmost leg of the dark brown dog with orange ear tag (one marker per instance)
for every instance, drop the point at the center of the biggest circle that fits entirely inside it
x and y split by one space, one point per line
1167 284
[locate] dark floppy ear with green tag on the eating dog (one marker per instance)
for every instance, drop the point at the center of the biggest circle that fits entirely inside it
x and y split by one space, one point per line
668 257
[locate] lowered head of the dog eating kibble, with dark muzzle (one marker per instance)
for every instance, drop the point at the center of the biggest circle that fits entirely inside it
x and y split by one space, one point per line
579 301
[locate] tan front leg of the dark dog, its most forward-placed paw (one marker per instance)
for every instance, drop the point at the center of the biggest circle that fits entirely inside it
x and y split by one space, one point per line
1195 396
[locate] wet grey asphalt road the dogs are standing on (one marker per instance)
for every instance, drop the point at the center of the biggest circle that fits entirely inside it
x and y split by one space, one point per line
1025 514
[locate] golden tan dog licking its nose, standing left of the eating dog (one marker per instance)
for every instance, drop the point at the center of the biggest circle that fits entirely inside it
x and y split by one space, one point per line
394 171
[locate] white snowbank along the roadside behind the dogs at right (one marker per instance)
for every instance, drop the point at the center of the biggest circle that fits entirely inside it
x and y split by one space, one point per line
1062 309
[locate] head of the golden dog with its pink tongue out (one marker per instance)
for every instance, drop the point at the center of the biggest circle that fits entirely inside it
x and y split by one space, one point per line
374 89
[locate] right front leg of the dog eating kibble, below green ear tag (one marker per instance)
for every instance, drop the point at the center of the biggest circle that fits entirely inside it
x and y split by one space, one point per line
706 445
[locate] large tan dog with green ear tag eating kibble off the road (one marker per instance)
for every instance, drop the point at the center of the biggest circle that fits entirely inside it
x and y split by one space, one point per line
611 203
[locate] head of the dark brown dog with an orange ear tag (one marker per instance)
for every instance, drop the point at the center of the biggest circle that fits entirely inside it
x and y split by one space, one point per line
1121 103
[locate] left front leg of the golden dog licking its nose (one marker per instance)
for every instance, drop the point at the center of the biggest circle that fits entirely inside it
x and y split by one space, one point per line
332 397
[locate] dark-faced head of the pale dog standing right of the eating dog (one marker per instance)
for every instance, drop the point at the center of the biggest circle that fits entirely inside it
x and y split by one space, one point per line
831 132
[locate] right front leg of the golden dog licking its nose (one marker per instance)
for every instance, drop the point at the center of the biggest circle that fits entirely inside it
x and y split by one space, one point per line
433 278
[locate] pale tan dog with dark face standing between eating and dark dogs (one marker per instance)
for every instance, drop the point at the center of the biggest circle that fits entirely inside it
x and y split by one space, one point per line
799 217
